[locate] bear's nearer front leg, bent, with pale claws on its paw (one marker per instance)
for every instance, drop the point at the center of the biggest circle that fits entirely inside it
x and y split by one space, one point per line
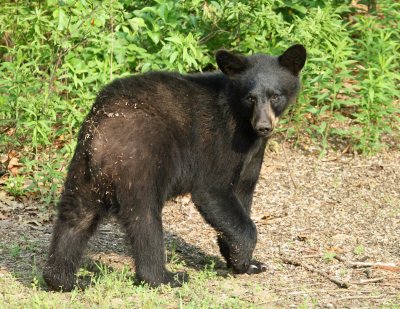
237 232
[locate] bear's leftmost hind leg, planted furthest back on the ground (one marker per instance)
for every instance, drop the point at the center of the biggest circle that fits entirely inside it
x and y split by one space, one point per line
73 228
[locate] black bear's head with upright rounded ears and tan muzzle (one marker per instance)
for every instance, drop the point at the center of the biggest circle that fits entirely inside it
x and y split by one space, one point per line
263 86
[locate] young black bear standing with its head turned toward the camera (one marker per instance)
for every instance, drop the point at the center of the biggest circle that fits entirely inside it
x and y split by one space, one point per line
151 137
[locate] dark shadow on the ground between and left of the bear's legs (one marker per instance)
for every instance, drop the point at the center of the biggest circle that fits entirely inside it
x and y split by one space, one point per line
109 242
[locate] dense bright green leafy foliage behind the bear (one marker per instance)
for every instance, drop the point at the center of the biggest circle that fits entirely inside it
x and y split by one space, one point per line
55 55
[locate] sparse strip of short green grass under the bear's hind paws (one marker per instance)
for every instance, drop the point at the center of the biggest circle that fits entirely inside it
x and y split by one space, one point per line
115 289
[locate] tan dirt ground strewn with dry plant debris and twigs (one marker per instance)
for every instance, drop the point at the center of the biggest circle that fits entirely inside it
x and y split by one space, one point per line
329 230
